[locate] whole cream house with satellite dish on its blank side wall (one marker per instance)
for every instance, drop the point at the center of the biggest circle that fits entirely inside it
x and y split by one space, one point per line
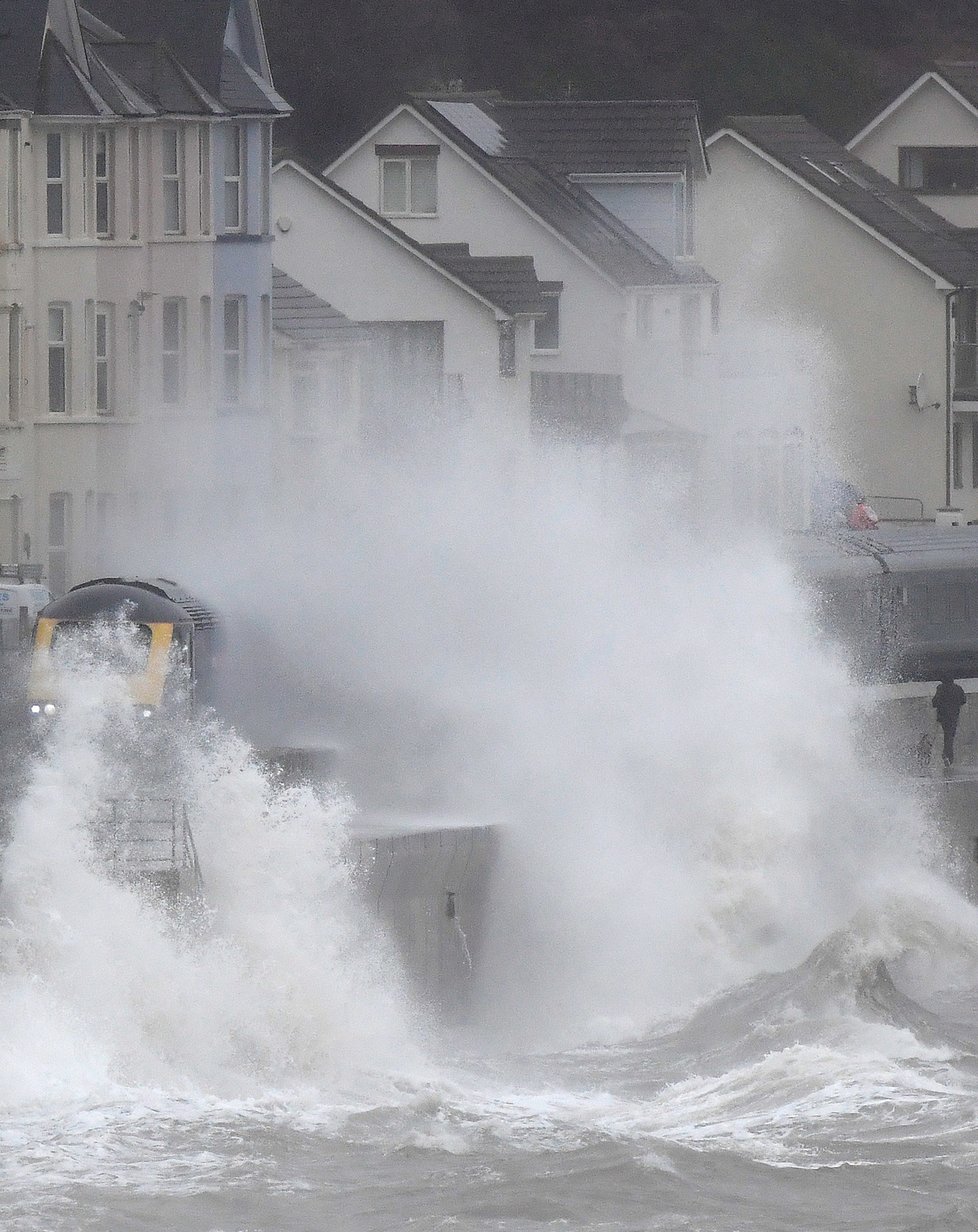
816 247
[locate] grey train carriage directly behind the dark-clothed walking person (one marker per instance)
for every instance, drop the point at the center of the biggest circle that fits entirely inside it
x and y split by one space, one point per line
902 599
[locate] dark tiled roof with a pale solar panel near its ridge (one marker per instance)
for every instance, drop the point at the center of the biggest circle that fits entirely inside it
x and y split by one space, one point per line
533 148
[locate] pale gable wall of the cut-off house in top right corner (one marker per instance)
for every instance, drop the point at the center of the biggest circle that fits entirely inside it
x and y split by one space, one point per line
929 118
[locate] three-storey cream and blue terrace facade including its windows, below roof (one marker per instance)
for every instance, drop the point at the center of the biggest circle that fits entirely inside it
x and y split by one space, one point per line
118 265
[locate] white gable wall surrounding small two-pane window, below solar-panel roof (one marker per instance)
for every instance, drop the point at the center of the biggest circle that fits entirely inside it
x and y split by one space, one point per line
476 210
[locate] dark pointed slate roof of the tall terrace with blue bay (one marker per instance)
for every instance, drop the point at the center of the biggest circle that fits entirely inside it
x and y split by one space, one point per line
157 61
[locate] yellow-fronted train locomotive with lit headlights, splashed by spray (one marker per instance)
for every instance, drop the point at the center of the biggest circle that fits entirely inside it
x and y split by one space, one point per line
171 657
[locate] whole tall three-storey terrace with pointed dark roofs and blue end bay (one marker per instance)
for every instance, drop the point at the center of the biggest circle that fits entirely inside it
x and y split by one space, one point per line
135 258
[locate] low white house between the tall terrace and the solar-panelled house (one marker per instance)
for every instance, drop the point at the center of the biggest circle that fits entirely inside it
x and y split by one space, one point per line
448 334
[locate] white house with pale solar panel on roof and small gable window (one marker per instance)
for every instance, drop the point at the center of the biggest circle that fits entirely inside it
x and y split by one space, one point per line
602 197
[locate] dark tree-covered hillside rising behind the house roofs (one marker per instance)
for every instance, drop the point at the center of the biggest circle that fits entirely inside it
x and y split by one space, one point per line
344 63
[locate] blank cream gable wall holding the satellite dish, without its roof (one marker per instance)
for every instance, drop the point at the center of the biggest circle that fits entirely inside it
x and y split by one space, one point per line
790 261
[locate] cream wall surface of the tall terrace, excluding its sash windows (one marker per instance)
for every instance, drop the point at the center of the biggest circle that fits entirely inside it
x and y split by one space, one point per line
93 458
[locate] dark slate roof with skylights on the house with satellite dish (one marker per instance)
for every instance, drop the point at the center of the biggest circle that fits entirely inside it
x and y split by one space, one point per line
892 213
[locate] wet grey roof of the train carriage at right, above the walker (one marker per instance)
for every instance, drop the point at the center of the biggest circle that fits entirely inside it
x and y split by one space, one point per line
897 549
